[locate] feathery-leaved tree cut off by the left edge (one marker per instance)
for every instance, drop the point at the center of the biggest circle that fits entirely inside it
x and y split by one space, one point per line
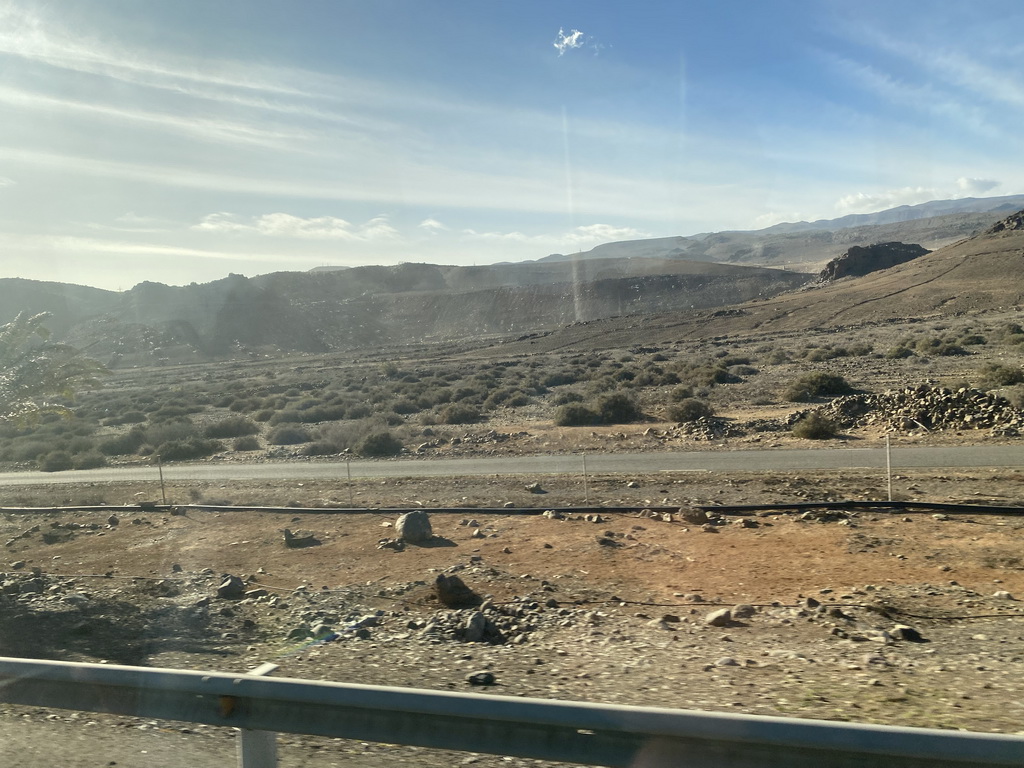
37 375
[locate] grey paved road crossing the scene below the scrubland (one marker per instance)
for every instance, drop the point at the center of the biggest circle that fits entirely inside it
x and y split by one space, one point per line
713 461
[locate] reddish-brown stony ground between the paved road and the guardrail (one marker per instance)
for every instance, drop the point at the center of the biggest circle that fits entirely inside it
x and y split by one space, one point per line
881 616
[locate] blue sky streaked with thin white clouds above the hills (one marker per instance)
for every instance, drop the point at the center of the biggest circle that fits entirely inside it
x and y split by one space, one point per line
184 142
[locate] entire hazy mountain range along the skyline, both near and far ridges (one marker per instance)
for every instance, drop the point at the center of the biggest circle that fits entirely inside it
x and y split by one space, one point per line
379 307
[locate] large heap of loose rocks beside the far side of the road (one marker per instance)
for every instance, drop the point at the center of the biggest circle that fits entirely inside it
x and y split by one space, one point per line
932 409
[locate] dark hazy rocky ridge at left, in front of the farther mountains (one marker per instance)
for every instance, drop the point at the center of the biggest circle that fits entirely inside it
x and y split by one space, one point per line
375 306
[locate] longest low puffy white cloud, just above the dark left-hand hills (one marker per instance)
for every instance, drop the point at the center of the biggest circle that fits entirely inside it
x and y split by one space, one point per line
287 226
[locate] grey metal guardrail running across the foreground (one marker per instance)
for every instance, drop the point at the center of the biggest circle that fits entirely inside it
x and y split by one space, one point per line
595 735
